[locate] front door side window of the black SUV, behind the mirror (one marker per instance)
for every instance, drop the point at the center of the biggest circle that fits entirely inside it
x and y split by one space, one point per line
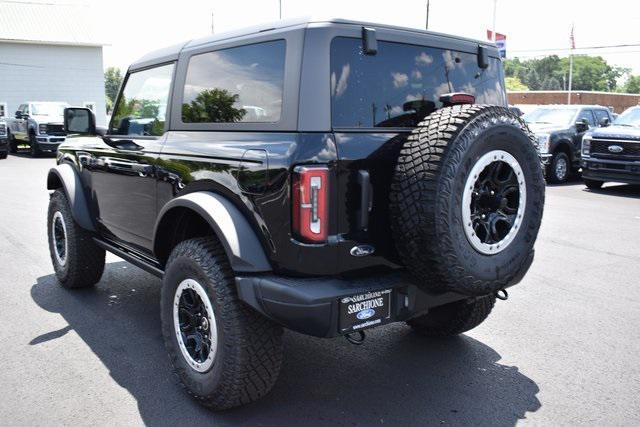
142 106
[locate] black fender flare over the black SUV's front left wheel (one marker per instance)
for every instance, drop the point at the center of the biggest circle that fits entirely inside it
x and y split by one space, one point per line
65 176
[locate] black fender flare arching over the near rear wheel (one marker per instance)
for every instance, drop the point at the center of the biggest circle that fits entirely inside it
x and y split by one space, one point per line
239 240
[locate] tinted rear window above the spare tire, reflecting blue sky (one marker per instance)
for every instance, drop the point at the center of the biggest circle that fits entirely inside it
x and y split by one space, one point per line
402 83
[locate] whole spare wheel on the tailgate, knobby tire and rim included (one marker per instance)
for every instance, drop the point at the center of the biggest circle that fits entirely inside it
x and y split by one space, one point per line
466 200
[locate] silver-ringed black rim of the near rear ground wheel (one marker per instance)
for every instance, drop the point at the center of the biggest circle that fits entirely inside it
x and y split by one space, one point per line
195 325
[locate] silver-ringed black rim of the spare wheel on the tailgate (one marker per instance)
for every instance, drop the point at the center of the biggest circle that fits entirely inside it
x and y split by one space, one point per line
493 202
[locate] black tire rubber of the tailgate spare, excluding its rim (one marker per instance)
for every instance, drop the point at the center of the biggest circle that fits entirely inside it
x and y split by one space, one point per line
426 199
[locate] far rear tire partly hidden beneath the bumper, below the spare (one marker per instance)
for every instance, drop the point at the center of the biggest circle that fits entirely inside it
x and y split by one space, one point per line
454 318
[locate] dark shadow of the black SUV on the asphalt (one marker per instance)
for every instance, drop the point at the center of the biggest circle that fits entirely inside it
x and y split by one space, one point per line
395 377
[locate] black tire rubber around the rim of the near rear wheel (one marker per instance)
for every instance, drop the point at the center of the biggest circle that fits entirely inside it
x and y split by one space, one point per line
249 349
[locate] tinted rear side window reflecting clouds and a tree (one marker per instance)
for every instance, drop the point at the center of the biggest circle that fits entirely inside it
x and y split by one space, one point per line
241 84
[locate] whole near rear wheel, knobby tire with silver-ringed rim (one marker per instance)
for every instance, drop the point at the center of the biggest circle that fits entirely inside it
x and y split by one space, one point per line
224 353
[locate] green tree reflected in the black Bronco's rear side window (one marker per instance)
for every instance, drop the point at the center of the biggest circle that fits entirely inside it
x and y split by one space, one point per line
213 106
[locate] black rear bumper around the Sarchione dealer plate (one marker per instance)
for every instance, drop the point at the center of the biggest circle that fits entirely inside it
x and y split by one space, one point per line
312 305
